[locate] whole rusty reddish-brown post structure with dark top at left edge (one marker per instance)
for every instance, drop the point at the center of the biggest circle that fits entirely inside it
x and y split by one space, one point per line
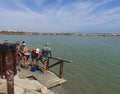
8 65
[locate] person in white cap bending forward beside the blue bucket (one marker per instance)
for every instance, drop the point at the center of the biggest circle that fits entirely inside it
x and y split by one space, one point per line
35 55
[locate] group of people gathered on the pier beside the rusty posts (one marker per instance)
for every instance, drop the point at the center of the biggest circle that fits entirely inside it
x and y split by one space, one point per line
36 54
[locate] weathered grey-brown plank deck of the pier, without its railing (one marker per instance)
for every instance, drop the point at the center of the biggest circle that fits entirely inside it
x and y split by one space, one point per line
48 79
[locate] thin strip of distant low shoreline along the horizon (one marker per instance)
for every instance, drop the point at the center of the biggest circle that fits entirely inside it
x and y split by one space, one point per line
66 34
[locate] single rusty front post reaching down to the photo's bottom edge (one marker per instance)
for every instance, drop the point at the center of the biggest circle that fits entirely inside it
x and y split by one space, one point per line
8 65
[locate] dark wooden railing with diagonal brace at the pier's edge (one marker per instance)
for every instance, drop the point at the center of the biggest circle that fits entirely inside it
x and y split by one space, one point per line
60 61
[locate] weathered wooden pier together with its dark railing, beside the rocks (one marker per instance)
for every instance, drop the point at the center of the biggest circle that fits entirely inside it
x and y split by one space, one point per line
48 79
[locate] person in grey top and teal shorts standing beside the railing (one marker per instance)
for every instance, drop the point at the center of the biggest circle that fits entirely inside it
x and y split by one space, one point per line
46 52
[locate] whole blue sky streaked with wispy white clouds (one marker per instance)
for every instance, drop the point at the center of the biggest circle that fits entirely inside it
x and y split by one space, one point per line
81 16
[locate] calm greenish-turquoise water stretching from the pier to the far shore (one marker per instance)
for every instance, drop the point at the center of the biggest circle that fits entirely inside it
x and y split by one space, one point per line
95 67
